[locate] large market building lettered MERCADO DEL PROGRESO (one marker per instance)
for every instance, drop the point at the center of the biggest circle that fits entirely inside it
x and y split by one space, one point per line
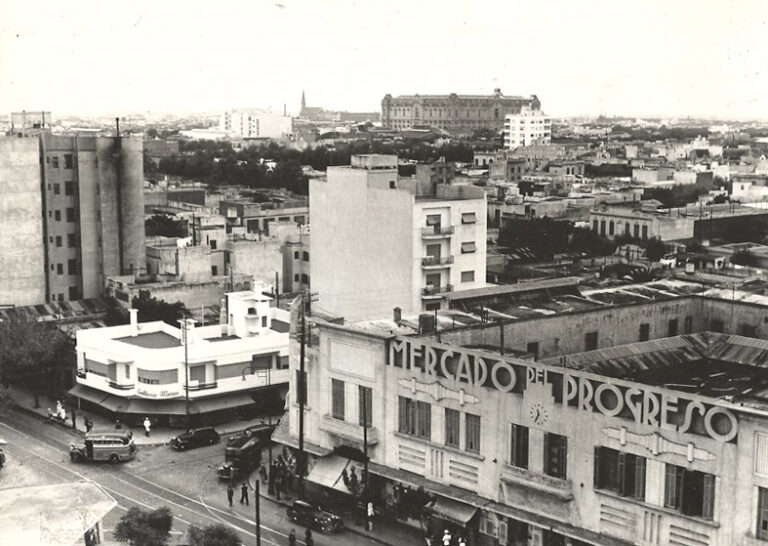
663 441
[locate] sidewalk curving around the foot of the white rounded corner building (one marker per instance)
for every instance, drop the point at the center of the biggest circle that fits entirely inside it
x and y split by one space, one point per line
25 401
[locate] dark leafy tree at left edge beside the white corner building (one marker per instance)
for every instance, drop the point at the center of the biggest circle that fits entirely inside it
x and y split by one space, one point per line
37 355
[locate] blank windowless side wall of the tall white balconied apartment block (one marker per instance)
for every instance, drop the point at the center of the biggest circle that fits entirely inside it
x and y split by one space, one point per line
362 236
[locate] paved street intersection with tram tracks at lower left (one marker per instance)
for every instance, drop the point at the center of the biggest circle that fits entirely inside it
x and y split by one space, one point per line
185 482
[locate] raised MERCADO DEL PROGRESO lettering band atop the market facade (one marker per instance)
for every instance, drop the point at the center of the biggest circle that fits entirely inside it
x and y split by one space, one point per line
583 391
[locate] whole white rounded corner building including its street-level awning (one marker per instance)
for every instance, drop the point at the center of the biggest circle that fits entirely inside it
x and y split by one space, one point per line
233 369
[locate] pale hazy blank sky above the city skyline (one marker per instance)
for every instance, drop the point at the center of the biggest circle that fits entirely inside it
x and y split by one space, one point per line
648 57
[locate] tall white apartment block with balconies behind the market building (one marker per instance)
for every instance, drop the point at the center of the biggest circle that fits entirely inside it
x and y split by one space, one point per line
379 242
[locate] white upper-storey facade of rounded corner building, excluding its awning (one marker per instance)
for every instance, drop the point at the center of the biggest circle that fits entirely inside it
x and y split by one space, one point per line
147 360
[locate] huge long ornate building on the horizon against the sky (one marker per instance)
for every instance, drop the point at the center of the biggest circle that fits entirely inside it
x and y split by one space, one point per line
454 113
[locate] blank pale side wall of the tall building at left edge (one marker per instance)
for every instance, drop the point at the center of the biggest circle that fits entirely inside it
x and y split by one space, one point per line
22 252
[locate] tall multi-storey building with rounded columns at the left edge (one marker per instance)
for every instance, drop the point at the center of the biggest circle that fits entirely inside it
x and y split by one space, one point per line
71 214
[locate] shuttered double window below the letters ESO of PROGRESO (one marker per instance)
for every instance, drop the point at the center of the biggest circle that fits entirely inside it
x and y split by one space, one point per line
689 491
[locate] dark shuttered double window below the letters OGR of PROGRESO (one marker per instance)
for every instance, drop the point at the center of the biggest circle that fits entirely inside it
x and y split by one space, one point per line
622 473
